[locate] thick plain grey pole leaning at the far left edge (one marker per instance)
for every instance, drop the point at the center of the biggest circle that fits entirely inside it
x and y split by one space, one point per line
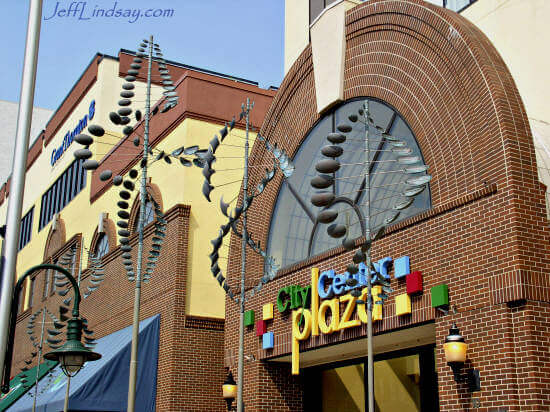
13 221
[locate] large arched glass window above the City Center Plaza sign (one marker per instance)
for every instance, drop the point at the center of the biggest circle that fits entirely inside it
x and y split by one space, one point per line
294 234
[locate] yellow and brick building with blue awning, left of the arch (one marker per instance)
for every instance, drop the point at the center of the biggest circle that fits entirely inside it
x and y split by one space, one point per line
71 212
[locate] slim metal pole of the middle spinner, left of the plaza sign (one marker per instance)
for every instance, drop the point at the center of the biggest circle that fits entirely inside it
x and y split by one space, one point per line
240 374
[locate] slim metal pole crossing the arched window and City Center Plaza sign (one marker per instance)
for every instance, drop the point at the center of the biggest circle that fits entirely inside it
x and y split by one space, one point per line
370 364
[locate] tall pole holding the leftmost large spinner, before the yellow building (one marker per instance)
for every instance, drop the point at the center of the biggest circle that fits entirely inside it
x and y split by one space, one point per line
143 199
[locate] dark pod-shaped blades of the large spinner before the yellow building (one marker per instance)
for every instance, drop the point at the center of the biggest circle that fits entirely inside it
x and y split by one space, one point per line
154 69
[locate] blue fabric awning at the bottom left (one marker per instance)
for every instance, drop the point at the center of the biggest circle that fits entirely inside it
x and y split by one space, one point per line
103 385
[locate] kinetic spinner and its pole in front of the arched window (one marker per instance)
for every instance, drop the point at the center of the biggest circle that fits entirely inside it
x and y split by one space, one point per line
400 175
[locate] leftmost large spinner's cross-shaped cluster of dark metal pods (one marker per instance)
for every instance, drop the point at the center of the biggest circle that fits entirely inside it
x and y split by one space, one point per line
185 156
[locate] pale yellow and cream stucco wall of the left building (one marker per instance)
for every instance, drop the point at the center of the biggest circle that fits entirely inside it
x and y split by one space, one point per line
177 185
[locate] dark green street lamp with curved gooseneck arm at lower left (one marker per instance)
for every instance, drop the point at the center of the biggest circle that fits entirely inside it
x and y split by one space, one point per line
72 355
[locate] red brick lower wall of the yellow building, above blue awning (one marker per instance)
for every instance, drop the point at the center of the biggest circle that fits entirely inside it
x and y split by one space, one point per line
190 365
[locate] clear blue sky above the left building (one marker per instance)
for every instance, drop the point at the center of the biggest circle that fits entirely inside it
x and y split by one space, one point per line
242 38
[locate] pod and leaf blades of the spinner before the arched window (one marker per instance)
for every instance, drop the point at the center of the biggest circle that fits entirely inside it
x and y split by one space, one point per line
409 179
